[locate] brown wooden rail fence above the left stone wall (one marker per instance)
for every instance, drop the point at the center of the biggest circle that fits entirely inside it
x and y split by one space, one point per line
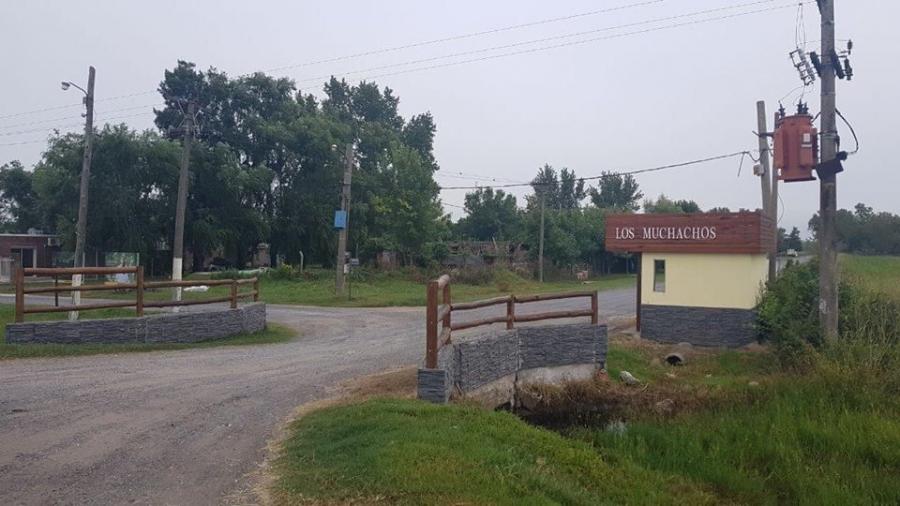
139 286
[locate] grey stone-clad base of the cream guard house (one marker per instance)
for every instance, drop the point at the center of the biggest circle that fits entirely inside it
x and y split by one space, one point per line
700 326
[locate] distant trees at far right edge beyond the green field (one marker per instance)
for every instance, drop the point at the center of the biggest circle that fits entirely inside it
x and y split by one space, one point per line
864 231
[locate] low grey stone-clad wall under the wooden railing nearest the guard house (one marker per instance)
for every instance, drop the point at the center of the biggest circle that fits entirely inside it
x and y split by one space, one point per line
479 362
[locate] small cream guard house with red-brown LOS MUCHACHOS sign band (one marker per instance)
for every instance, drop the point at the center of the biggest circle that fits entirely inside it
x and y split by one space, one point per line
699 274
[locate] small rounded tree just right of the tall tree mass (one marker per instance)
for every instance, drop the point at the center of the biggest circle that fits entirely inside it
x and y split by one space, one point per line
490 215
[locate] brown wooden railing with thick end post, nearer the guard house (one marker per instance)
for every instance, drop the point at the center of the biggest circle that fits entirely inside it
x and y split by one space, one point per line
443 312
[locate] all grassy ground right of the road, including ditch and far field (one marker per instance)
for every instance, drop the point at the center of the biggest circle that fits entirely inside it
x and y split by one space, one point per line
728 427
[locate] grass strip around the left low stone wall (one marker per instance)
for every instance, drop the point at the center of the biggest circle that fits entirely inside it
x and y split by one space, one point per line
272 334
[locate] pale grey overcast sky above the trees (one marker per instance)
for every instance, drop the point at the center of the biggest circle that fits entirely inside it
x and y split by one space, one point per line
612 99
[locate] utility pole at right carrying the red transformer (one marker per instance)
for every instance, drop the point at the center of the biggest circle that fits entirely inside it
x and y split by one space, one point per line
828 296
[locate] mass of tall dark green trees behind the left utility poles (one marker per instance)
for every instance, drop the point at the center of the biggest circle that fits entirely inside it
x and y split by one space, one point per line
266 167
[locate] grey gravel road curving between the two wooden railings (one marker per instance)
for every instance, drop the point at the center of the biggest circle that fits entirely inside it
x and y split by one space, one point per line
185 427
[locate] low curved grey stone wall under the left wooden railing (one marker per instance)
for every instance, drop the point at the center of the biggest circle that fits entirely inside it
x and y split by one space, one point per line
187 327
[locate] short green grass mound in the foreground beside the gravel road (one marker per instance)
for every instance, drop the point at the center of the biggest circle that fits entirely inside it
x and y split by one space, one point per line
409 452
